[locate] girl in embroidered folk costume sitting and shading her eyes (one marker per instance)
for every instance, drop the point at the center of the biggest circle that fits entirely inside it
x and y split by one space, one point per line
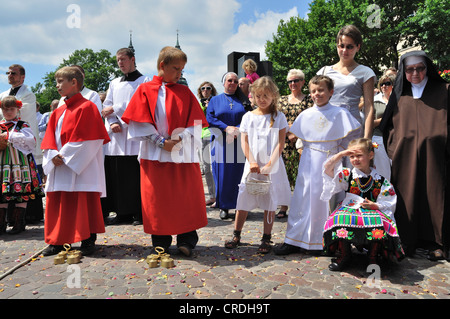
365 217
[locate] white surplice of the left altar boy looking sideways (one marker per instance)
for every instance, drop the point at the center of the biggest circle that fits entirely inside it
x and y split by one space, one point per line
83 170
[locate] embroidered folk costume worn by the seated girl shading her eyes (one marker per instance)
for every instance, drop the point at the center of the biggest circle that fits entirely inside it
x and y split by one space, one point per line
355 224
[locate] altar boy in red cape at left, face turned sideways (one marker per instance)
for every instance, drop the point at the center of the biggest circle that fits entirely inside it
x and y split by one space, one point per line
73 163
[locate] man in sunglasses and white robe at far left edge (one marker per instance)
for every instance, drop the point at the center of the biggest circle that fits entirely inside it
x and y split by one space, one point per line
16 78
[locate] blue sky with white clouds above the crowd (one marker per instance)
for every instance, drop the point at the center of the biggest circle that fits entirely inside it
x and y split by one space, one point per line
209 31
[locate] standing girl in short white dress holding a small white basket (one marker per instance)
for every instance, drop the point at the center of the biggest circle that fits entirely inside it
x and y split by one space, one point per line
263 137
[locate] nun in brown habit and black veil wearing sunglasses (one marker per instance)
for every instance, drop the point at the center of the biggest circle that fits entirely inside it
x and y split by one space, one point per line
416 130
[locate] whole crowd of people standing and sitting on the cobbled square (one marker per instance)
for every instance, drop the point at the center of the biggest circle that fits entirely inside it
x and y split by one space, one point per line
355 163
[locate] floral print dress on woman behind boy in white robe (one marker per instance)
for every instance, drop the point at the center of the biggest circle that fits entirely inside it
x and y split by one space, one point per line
291 156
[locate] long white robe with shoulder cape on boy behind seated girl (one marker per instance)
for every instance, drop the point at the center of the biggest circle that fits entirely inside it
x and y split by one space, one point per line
324 131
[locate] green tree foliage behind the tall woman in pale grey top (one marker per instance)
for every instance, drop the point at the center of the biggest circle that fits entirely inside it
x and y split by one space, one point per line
310 43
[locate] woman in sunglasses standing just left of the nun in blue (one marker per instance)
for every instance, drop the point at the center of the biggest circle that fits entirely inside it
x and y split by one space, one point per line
205 92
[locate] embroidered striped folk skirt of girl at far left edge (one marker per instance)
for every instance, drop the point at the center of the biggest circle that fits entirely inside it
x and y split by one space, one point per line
20 178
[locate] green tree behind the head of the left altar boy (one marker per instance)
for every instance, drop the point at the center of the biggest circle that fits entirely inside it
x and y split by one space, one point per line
100 68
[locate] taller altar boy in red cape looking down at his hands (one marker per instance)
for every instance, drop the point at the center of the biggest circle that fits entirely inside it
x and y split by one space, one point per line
167 119
